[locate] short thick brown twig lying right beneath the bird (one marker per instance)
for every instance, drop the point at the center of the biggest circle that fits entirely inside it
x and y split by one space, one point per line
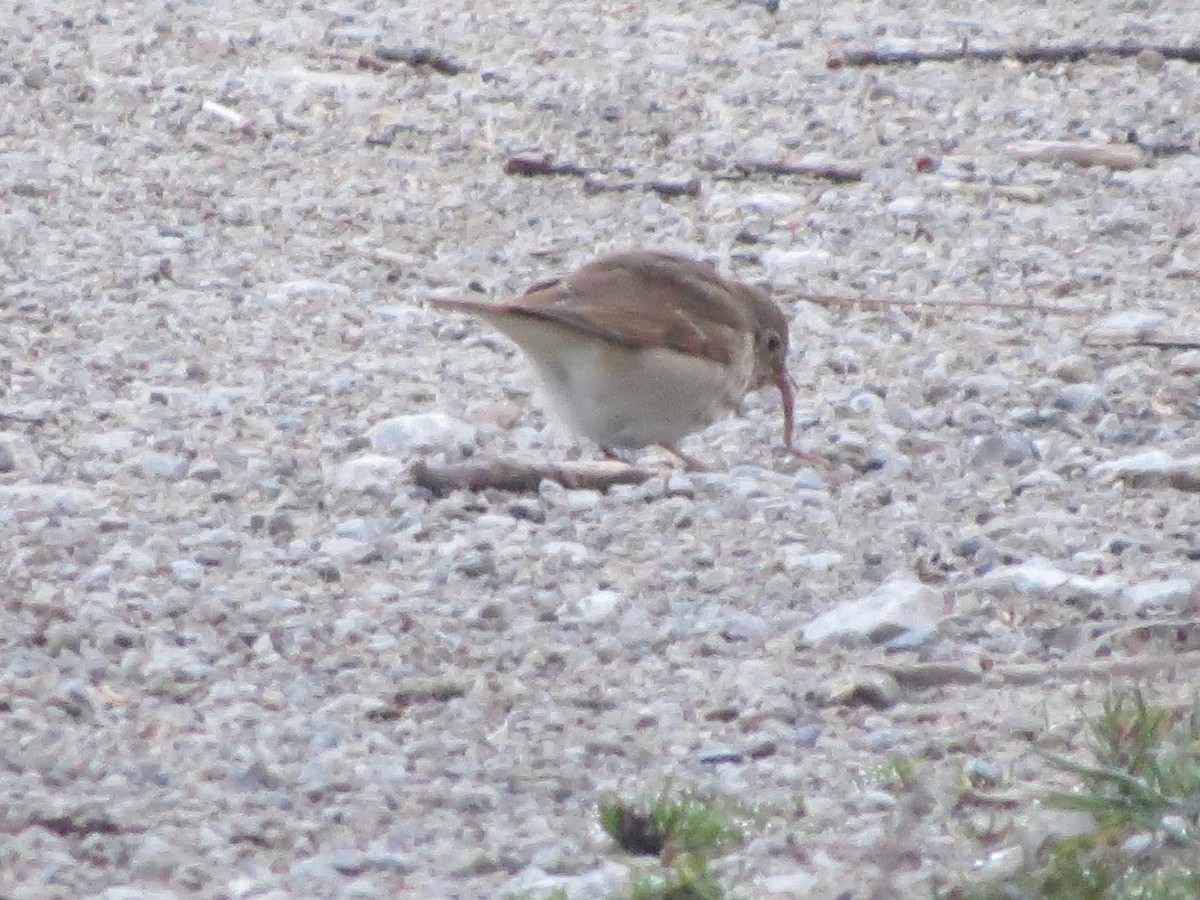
525 478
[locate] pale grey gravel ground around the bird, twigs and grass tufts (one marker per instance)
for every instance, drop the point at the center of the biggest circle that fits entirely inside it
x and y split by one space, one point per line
242 656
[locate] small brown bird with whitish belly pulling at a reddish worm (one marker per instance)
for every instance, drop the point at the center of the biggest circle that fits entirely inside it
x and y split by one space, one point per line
644 347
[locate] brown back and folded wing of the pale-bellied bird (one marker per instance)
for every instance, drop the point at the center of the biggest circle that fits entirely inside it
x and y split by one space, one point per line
647 301
